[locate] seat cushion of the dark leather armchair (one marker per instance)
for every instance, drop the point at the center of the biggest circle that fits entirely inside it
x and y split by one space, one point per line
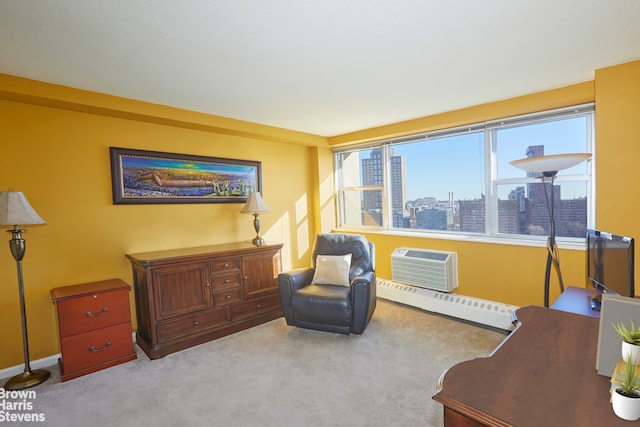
322 304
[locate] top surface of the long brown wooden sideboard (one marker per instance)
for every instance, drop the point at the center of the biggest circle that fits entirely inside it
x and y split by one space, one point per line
220 249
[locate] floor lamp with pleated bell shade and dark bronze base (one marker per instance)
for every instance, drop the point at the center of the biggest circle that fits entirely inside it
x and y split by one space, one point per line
14 210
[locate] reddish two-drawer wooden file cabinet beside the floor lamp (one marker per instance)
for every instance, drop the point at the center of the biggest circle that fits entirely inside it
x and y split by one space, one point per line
94 322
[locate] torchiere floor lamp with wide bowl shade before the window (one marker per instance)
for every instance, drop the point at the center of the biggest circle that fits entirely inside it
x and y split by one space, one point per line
548 166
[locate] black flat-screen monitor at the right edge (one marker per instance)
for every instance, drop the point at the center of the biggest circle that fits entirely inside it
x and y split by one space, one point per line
610 264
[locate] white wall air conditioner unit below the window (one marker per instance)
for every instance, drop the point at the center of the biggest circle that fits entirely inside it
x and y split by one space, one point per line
425 268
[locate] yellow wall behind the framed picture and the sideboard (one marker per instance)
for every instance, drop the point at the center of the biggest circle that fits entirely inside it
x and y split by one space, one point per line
58 155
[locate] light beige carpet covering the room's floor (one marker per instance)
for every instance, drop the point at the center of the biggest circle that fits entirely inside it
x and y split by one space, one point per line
277 375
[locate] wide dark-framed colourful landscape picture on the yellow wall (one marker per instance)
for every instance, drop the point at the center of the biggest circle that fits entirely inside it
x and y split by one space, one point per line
153 177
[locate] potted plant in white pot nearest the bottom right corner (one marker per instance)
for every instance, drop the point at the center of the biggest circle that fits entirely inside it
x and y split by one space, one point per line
625 394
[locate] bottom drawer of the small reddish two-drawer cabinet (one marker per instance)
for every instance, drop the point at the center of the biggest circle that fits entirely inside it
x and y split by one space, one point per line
93 348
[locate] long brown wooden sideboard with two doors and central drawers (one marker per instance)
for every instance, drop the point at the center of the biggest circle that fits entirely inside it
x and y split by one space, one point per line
189 296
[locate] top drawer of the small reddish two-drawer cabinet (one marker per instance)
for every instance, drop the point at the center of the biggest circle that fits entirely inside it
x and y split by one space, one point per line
94 311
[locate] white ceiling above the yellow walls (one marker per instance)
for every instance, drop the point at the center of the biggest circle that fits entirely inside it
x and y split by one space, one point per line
325 67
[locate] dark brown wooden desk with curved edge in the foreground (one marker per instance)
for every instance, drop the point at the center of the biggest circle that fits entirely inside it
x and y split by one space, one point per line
543 374
